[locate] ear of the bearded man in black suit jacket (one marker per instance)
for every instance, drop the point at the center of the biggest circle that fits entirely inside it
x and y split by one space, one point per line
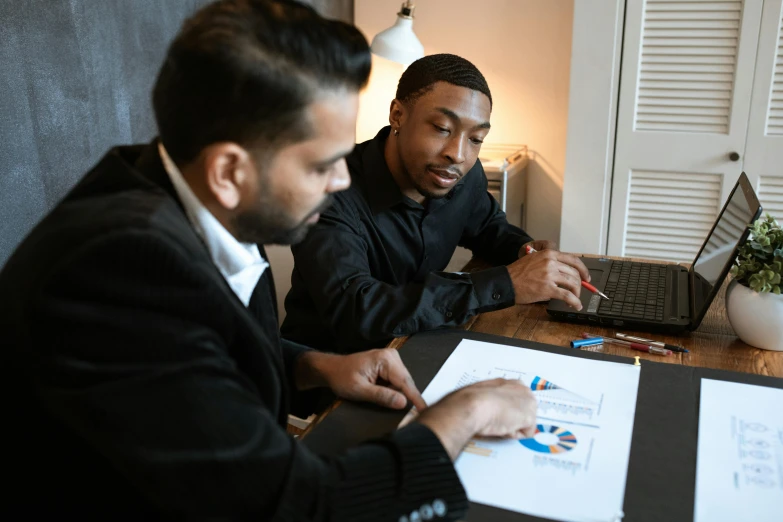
229 171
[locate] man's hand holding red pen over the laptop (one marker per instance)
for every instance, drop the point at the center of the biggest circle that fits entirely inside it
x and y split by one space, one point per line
548 275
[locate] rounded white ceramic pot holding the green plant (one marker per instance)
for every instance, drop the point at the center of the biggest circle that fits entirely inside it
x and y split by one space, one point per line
756 318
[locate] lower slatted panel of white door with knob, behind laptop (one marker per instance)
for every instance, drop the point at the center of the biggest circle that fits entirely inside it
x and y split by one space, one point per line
670 214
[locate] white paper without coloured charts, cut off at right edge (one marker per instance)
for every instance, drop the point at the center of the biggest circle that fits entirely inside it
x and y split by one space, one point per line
739 462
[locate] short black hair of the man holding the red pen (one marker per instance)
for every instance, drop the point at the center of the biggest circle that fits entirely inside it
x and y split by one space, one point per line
420 77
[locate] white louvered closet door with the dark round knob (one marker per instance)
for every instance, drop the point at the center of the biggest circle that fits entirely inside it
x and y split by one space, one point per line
687 77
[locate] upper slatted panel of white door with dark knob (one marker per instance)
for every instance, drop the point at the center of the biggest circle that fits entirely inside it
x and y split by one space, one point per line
688 60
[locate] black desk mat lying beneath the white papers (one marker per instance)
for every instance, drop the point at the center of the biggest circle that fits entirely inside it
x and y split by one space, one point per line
661 477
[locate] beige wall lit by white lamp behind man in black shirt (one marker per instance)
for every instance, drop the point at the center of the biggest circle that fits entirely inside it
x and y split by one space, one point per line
523 47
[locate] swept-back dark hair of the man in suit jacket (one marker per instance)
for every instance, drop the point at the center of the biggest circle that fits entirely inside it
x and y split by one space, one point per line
245 70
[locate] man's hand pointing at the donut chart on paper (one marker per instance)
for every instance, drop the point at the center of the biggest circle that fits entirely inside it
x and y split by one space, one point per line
497 408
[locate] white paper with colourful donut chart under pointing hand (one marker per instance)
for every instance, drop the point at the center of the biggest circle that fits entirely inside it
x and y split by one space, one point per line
574 468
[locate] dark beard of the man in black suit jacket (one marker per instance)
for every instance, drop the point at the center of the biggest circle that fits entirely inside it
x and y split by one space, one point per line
268 225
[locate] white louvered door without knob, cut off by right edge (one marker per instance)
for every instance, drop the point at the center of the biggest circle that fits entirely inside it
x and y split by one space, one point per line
764 150
